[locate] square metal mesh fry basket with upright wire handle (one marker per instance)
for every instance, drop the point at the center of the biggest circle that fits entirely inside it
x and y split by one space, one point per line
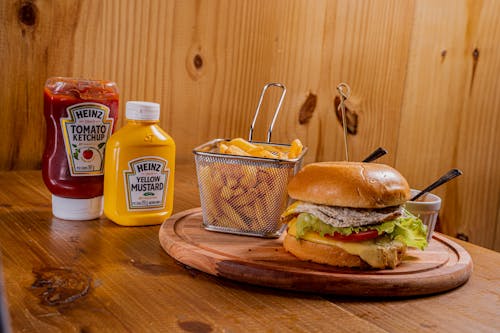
245 195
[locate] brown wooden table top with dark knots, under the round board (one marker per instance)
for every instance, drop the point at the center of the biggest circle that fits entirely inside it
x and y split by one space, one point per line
130 284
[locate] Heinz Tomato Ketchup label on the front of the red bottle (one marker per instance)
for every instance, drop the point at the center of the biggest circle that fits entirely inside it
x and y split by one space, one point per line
86 131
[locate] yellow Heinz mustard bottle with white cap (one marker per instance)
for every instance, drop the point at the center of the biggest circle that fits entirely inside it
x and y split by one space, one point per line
139 169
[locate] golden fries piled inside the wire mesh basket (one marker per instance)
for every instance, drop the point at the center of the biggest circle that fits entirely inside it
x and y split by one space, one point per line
243 196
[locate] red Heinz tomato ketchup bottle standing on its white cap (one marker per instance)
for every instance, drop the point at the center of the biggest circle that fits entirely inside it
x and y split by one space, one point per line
80 117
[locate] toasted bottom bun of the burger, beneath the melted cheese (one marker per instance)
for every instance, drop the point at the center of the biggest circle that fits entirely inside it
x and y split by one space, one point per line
329 254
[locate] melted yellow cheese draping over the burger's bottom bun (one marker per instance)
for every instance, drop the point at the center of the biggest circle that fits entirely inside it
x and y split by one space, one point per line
376 253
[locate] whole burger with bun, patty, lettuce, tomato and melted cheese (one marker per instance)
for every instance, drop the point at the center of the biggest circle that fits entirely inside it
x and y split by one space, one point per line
351 214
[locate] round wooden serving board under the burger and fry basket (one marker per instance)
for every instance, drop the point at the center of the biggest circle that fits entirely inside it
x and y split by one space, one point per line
443 265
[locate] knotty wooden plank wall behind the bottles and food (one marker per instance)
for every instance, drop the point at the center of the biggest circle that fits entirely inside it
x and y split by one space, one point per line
424 79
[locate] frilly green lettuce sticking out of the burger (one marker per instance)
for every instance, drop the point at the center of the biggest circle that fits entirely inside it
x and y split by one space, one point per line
407 229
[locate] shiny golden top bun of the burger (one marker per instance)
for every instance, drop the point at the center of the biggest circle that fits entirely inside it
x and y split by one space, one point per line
350 184
